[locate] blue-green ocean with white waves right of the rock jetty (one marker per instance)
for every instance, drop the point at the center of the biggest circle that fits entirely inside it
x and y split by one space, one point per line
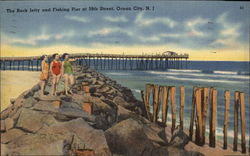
222 75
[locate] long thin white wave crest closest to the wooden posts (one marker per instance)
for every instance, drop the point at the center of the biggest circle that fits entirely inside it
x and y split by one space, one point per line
201 80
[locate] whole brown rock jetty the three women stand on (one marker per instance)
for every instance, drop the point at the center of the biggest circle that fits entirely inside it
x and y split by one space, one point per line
100 118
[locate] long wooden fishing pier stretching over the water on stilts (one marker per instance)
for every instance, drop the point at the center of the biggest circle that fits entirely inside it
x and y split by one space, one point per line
104 62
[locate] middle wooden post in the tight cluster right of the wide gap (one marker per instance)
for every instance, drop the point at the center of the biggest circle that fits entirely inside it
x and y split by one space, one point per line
204 109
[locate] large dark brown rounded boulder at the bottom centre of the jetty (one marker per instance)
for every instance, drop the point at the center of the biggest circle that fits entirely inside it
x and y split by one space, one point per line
128 138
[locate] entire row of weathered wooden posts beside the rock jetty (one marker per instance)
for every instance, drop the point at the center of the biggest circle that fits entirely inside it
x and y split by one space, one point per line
201 99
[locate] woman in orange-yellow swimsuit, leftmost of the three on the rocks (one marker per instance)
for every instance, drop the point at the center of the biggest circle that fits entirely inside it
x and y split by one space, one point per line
45 73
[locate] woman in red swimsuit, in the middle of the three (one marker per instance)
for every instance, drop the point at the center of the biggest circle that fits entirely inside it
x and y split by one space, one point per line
56 70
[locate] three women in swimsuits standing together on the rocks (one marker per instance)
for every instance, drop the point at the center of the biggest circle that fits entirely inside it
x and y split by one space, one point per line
57 70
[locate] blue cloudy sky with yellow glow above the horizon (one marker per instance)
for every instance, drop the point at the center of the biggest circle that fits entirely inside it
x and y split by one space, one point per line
204 30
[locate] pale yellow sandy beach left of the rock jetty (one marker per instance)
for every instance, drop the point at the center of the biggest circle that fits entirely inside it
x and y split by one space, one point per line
13 83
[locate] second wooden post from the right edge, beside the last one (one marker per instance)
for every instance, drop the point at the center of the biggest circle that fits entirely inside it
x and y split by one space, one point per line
236 111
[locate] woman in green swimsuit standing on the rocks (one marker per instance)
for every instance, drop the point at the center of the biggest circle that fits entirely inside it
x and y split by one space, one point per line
67 71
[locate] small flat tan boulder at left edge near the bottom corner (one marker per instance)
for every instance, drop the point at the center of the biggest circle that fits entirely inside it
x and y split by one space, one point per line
11 135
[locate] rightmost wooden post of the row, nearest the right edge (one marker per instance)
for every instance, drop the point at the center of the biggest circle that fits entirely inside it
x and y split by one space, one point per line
243 122
